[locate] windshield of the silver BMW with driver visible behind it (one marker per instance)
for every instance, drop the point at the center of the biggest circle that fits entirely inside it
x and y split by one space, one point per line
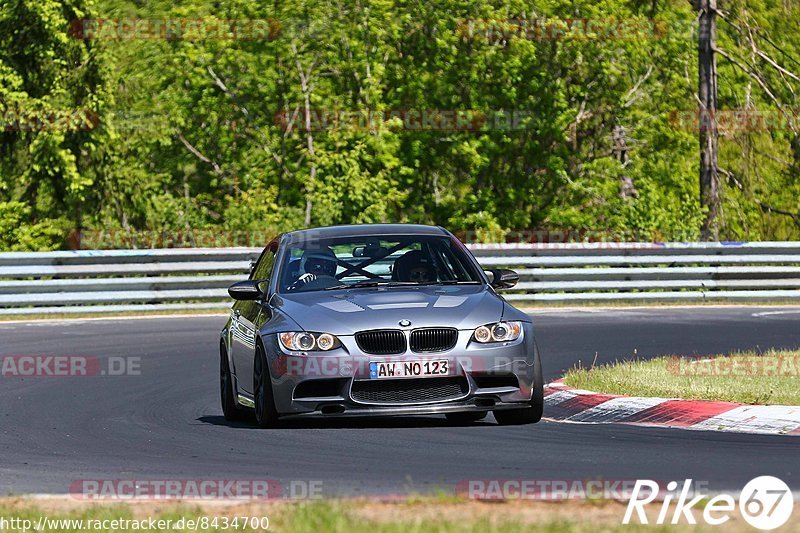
352 262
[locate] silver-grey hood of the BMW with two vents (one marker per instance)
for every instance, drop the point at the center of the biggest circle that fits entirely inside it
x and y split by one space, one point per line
343 312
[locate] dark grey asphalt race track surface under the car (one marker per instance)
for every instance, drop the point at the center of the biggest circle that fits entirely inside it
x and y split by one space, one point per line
167 424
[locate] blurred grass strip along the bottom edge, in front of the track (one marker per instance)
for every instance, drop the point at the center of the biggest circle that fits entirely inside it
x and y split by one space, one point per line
346 516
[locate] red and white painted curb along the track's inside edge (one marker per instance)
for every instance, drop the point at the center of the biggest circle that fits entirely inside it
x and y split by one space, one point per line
565 404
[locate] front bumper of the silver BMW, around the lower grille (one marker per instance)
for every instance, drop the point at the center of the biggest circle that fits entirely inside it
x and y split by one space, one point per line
490 377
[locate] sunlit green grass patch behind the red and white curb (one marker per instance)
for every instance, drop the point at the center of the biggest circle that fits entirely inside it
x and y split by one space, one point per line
771 378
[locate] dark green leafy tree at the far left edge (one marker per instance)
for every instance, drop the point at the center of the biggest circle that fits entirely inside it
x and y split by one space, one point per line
52 89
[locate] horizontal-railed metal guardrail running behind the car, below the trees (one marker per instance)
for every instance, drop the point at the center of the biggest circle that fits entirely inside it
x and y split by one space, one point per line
197 278
